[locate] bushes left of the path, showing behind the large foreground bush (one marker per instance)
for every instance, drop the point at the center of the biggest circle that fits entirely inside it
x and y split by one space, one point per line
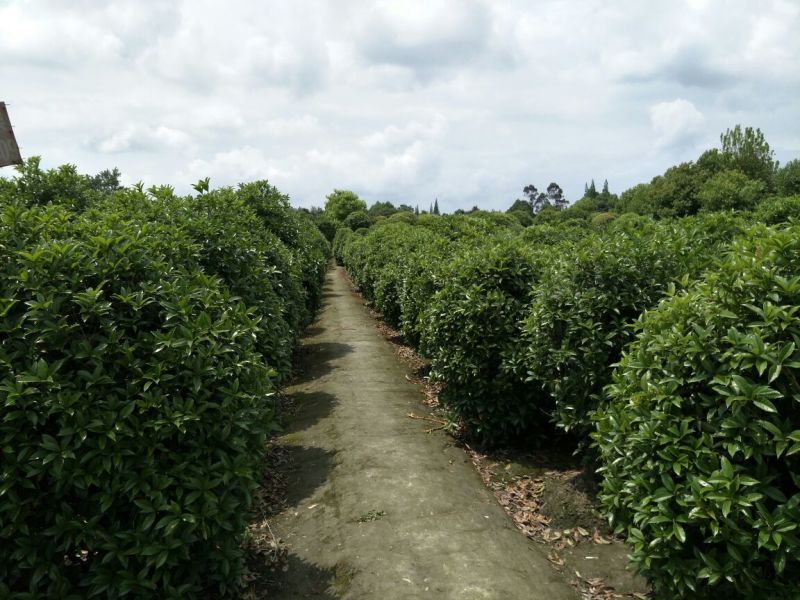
281 283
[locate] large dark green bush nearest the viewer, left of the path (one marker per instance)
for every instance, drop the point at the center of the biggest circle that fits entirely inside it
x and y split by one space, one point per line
135 411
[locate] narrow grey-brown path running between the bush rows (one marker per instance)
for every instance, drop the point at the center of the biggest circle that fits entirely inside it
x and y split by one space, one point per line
378 508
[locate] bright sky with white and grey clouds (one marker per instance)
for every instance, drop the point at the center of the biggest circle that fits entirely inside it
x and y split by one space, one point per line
464 100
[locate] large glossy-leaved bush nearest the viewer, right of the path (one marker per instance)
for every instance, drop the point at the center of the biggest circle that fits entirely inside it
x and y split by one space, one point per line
700 443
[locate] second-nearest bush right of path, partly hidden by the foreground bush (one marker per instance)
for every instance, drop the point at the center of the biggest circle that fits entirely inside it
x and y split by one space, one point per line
581 311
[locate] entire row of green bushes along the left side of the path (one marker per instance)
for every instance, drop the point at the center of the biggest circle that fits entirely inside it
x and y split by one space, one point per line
143 335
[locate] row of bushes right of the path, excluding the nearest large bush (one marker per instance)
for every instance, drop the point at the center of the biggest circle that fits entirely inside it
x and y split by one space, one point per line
523 326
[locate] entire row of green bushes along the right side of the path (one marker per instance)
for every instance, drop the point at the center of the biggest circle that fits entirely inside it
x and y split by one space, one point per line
525 328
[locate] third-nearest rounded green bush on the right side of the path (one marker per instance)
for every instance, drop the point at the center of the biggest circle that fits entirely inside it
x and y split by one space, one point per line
471 326
